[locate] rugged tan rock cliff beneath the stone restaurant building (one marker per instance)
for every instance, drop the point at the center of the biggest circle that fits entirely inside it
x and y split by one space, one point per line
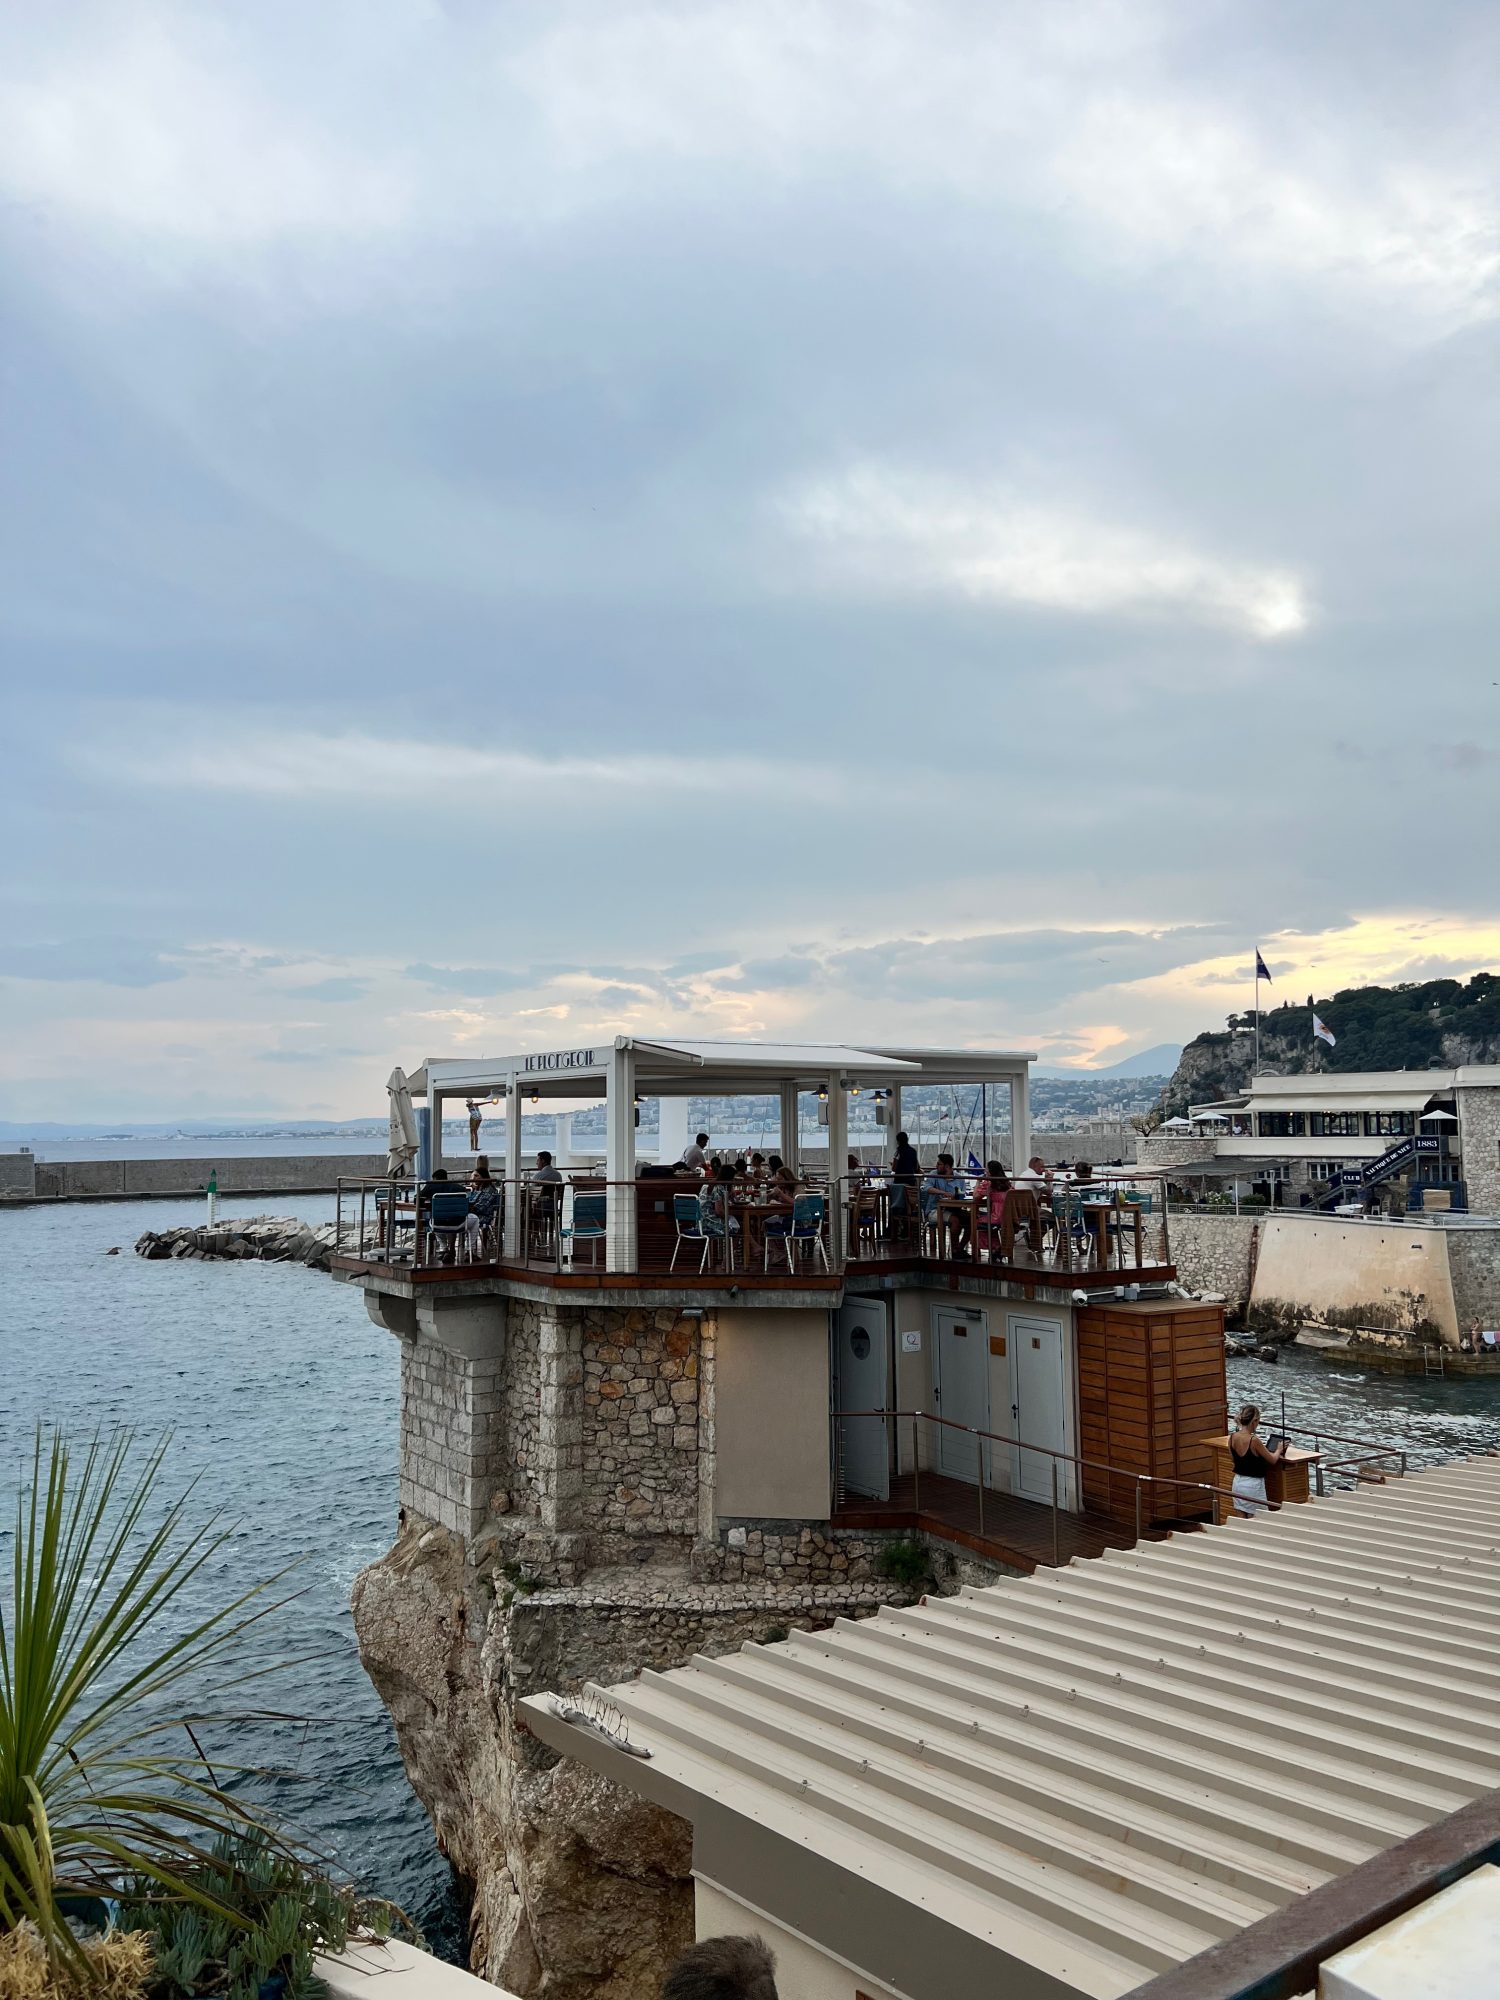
579 1889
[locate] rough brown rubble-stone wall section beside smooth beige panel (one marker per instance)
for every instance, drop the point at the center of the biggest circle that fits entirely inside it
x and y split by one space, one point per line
643 1381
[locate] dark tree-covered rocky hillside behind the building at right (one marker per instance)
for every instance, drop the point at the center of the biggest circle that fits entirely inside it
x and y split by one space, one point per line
1425 1027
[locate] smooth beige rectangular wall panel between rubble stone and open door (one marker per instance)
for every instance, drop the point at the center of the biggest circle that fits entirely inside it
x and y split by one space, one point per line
773 1415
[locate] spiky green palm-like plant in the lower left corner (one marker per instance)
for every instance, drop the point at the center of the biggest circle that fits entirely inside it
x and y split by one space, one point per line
93 1785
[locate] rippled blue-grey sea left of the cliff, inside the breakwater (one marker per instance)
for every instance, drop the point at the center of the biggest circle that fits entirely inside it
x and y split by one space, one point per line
285 1399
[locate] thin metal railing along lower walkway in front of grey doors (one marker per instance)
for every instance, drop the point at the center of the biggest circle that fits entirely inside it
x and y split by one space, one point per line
1063 1467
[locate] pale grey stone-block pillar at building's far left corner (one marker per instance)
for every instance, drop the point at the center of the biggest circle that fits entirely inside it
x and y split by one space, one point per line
451 1439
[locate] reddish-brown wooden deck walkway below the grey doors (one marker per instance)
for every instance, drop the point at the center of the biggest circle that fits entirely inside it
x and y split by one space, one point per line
1001 1527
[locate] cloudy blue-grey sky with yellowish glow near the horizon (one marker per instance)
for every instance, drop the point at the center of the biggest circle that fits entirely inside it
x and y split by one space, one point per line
915 523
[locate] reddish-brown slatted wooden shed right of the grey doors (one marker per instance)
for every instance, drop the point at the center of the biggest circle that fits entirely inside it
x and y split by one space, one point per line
1151 1391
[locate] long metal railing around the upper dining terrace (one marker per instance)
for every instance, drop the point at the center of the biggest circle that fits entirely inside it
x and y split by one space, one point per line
683 1227
